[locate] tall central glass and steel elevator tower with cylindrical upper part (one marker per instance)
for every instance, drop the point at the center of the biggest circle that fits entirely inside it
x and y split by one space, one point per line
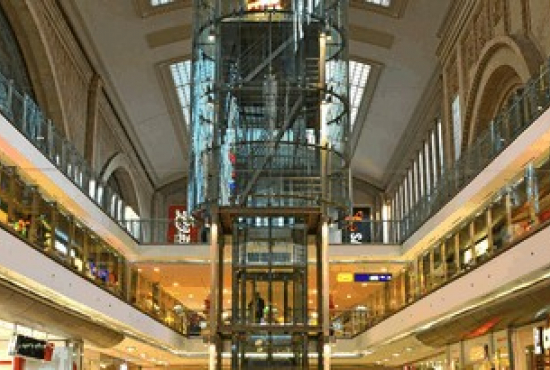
269 171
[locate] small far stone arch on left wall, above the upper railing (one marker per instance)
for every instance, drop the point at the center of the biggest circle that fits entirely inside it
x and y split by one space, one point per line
119 166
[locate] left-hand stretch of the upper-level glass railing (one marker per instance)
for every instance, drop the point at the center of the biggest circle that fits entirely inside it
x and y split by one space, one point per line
27 117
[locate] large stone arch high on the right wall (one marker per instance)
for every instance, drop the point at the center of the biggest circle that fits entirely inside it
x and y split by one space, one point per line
505 64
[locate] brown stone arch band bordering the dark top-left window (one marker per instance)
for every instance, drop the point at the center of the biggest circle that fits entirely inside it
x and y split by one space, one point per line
30 36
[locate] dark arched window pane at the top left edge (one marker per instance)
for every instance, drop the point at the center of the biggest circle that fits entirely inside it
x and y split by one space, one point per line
12 63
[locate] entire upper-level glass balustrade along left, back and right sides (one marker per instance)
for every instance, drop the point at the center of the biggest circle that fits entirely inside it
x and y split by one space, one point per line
27 117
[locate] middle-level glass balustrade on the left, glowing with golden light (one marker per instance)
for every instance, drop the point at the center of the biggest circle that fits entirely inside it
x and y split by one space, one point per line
51 229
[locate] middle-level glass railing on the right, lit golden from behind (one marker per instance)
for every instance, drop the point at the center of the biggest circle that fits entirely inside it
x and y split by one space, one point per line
518 210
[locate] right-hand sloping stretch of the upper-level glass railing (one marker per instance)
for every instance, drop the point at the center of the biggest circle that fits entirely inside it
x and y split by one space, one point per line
501 132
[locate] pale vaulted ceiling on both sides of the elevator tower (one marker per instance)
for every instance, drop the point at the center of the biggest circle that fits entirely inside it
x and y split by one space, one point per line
132 46
